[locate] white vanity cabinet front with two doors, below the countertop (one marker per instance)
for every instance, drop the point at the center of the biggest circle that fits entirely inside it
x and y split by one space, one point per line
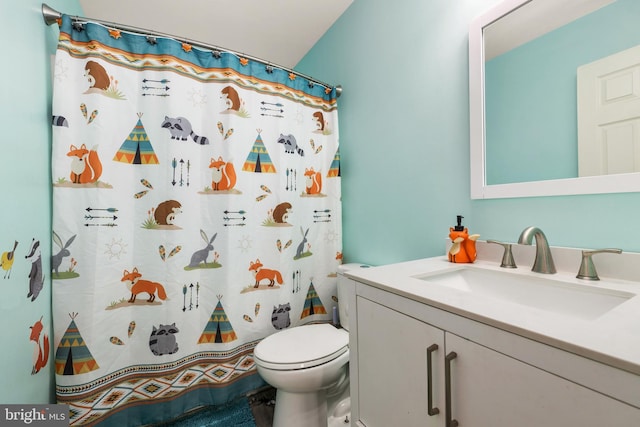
495 379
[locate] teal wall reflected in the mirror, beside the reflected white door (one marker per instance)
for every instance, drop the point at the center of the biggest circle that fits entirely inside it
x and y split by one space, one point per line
515 111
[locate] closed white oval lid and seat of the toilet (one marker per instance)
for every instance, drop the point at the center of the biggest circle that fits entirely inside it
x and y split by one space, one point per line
301 347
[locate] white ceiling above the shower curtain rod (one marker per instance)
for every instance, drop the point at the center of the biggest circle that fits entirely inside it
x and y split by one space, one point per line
277 31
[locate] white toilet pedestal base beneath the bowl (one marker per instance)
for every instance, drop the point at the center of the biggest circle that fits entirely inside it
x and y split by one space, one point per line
300 409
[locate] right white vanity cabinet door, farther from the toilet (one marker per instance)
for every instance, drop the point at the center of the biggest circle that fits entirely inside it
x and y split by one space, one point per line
492 389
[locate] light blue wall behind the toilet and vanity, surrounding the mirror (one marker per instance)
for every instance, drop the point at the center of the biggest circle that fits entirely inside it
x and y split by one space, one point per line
404 138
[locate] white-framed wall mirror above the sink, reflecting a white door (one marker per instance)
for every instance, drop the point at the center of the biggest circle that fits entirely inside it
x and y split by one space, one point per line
542 89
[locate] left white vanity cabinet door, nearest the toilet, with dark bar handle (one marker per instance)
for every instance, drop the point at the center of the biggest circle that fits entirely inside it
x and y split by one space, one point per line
392 368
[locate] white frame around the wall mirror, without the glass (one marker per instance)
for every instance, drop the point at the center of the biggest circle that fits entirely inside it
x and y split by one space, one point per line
620 183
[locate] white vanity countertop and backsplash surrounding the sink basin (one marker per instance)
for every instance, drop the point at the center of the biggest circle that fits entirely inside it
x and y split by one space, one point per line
612 338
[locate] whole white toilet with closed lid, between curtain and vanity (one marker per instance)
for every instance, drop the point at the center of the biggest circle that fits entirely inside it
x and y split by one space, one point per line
309 367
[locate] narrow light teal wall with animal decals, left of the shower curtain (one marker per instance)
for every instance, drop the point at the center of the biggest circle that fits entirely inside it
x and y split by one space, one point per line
25 101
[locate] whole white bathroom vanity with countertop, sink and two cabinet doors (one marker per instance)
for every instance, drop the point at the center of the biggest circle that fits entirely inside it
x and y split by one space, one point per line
441 344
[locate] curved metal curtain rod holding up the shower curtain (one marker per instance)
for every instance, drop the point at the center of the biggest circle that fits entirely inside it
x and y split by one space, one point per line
51 16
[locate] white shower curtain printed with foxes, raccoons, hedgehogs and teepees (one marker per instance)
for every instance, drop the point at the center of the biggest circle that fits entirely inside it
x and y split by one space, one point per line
196 210
